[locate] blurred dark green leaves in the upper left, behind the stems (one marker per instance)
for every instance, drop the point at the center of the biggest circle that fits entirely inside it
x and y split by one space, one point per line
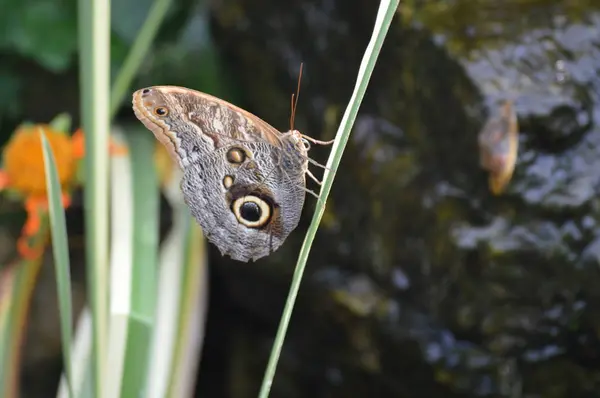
41 37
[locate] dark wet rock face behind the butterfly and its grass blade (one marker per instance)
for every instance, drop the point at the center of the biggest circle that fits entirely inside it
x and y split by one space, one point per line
495 296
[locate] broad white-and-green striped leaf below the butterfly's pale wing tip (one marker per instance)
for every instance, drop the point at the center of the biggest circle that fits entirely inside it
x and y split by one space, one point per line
135 248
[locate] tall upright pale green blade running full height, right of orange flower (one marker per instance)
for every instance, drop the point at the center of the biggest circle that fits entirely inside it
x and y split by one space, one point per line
94 58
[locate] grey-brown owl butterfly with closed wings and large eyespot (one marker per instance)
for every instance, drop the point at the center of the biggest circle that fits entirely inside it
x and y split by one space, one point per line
243 180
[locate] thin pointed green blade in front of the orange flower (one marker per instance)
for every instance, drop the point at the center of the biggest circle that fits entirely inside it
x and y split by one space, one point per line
60 249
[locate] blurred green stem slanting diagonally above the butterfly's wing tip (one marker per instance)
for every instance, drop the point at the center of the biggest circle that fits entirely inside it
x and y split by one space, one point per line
138 52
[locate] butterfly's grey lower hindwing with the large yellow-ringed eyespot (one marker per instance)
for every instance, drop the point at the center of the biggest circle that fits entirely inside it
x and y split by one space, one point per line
247 212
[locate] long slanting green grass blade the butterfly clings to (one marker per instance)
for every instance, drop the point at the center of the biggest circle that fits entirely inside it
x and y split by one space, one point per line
387 10
